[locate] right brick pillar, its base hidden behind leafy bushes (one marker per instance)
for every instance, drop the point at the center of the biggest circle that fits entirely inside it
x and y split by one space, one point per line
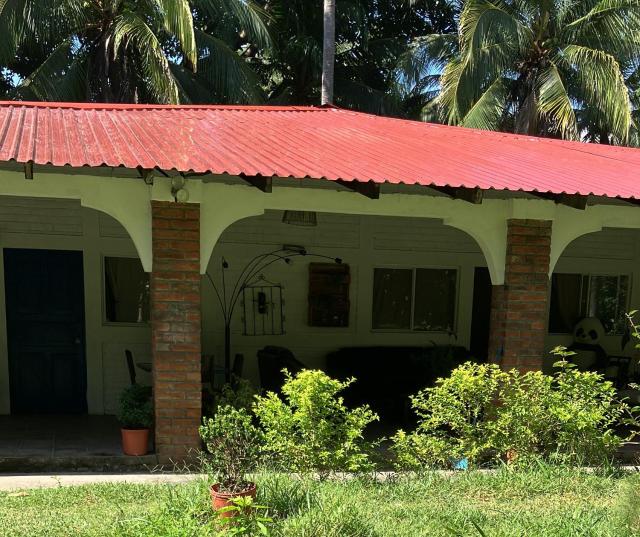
519 308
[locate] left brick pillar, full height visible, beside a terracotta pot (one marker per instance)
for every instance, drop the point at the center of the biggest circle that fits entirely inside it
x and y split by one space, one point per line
175 327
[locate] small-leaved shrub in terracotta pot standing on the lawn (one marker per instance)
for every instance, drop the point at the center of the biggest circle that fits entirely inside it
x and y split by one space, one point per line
233 446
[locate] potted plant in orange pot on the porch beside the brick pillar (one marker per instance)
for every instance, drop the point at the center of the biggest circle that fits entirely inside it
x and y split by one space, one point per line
136 417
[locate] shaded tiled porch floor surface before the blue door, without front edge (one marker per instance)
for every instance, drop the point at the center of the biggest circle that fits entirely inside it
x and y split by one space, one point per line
59 436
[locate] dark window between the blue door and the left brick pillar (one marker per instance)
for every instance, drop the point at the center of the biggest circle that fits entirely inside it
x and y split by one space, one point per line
126 290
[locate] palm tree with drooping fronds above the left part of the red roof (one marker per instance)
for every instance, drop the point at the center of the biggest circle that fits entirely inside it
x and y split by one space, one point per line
130 51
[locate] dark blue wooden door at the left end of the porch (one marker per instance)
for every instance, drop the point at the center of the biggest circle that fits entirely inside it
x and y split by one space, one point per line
44 292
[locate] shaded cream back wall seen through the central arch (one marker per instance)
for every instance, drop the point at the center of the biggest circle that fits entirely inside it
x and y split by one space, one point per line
363 242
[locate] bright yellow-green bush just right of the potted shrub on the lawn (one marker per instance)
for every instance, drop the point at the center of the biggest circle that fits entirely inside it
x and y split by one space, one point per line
311 429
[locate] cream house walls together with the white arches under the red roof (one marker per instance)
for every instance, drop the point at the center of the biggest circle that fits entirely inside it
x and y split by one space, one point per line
398 230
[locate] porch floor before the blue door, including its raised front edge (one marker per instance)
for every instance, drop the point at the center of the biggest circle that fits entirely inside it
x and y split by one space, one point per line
62 442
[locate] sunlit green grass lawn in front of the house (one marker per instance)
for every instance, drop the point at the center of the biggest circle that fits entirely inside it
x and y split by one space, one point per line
542 502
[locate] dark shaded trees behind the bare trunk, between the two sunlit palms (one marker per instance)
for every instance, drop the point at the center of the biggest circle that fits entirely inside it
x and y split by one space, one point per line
369 37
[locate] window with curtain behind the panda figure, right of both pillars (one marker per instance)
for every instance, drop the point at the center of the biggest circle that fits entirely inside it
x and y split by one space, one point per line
575 296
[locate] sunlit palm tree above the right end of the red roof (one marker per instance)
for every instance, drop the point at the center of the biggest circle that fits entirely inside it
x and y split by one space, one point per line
541 67
